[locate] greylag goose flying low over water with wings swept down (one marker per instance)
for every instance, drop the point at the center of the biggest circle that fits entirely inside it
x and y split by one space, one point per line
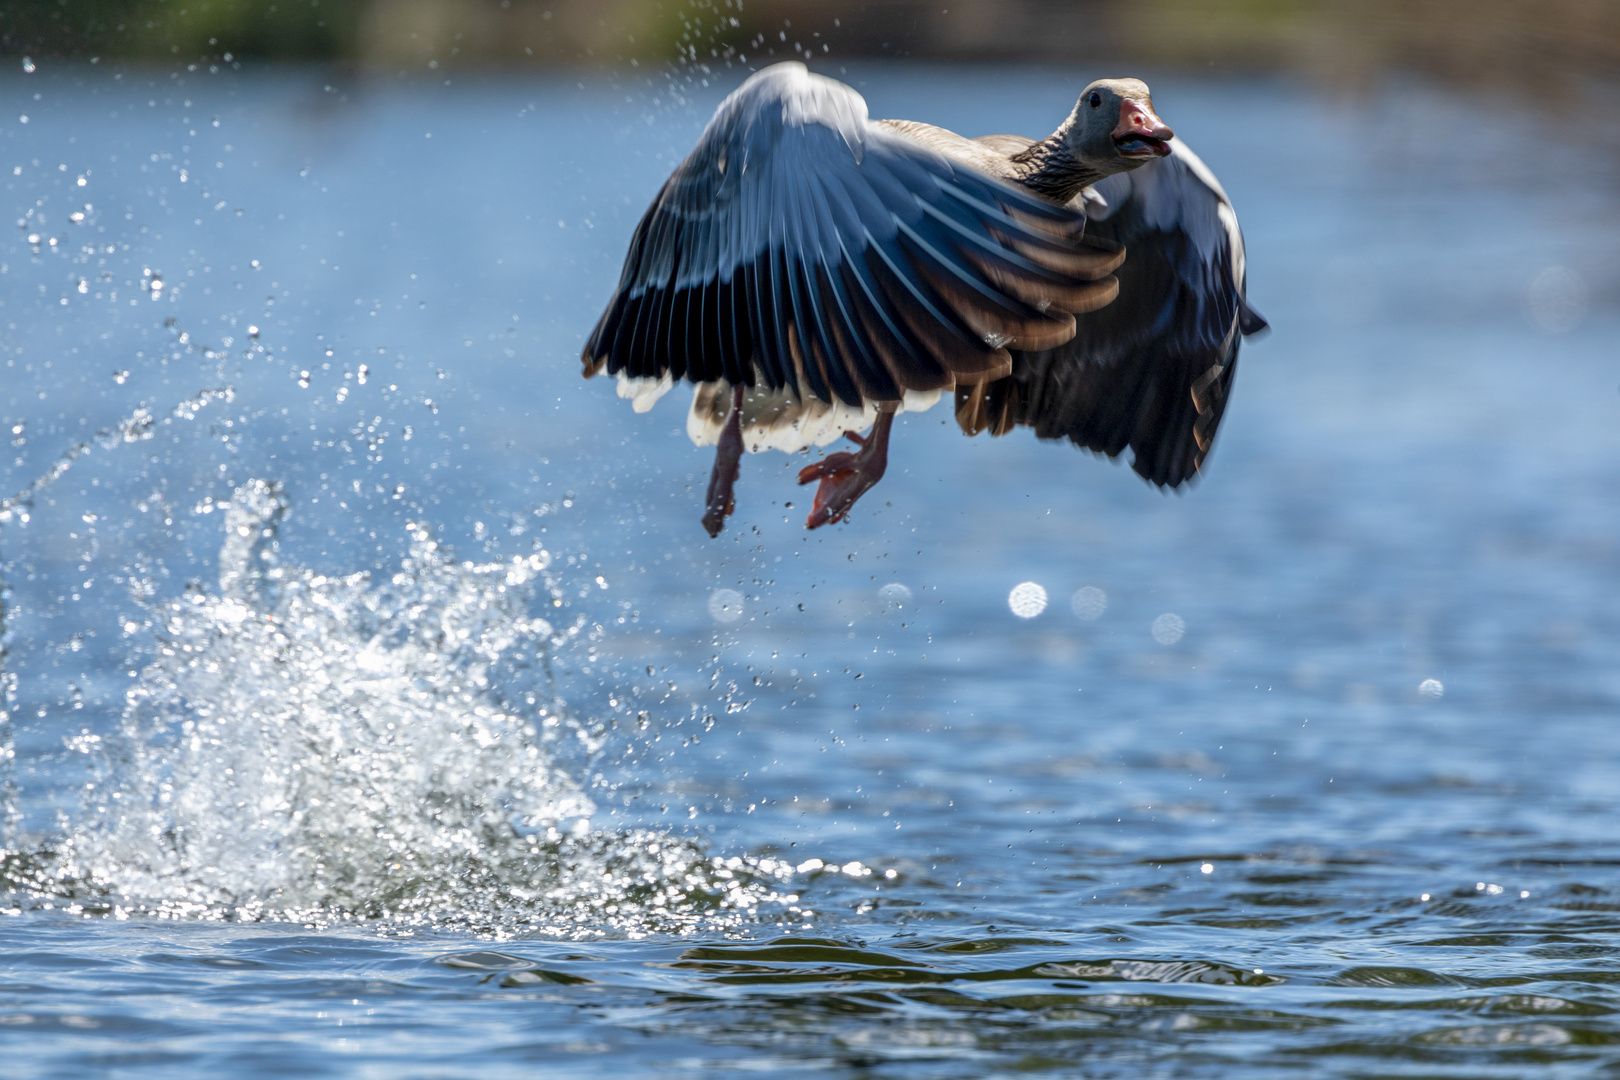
816 273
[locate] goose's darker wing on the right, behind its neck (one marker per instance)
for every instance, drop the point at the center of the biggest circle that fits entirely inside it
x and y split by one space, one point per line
1156 368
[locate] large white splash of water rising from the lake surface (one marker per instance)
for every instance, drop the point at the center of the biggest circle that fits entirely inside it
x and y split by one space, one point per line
328 749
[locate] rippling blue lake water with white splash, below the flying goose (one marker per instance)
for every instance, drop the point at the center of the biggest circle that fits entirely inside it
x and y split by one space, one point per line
383 710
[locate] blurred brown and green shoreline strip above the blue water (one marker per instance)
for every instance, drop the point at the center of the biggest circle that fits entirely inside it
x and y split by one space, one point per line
1546 46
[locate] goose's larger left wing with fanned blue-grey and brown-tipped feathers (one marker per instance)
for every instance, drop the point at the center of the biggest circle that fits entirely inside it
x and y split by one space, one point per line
804 247
